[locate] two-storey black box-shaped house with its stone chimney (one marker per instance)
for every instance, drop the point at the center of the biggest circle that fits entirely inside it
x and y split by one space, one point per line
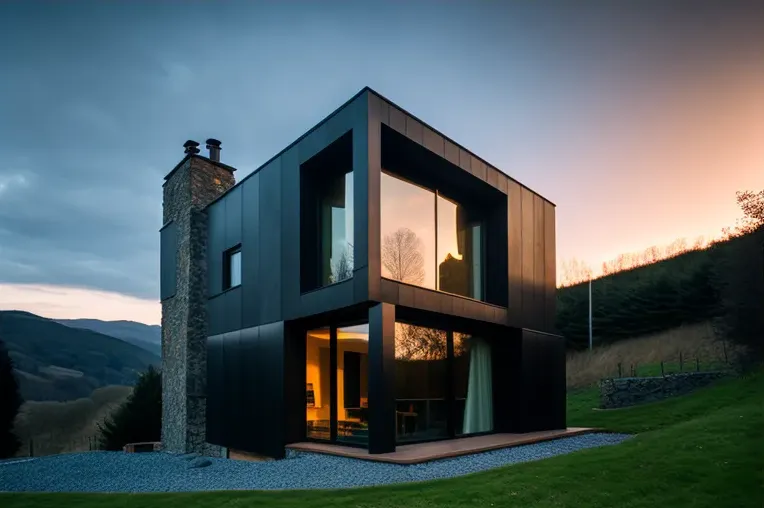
373 284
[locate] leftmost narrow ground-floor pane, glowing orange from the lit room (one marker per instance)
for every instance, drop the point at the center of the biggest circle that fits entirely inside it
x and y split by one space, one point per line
317 378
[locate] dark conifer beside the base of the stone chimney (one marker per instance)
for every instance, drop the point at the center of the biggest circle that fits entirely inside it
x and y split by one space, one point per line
139 418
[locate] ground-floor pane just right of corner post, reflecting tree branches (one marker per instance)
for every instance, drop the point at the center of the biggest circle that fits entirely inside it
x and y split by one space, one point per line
420 383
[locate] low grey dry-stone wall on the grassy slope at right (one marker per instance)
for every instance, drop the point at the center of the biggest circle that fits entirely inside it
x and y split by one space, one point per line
624 392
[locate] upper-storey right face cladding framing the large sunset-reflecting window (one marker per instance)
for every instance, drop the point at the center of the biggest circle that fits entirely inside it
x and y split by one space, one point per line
529 226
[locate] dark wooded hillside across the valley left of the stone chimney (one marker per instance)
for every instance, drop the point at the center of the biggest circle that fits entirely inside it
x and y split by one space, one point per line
57 362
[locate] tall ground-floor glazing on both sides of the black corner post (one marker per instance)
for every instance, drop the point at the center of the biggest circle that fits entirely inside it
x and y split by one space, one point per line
443 384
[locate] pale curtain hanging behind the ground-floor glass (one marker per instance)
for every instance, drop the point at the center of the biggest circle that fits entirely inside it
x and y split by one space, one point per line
478 409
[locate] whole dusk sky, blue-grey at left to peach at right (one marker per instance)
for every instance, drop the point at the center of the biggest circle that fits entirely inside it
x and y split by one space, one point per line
639 120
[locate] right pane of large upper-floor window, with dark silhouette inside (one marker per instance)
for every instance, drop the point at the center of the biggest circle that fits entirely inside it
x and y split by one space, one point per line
459 253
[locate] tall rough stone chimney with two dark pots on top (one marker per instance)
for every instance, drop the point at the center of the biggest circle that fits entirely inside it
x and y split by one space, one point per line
192 185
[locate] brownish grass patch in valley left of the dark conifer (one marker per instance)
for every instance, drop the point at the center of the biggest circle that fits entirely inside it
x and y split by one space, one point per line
60 427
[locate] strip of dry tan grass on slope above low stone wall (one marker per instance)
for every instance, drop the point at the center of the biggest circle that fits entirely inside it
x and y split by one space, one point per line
644 354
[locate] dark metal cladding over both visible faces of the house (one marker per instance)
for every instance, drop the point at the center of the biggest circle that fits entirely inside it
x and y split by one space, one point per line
256 353
